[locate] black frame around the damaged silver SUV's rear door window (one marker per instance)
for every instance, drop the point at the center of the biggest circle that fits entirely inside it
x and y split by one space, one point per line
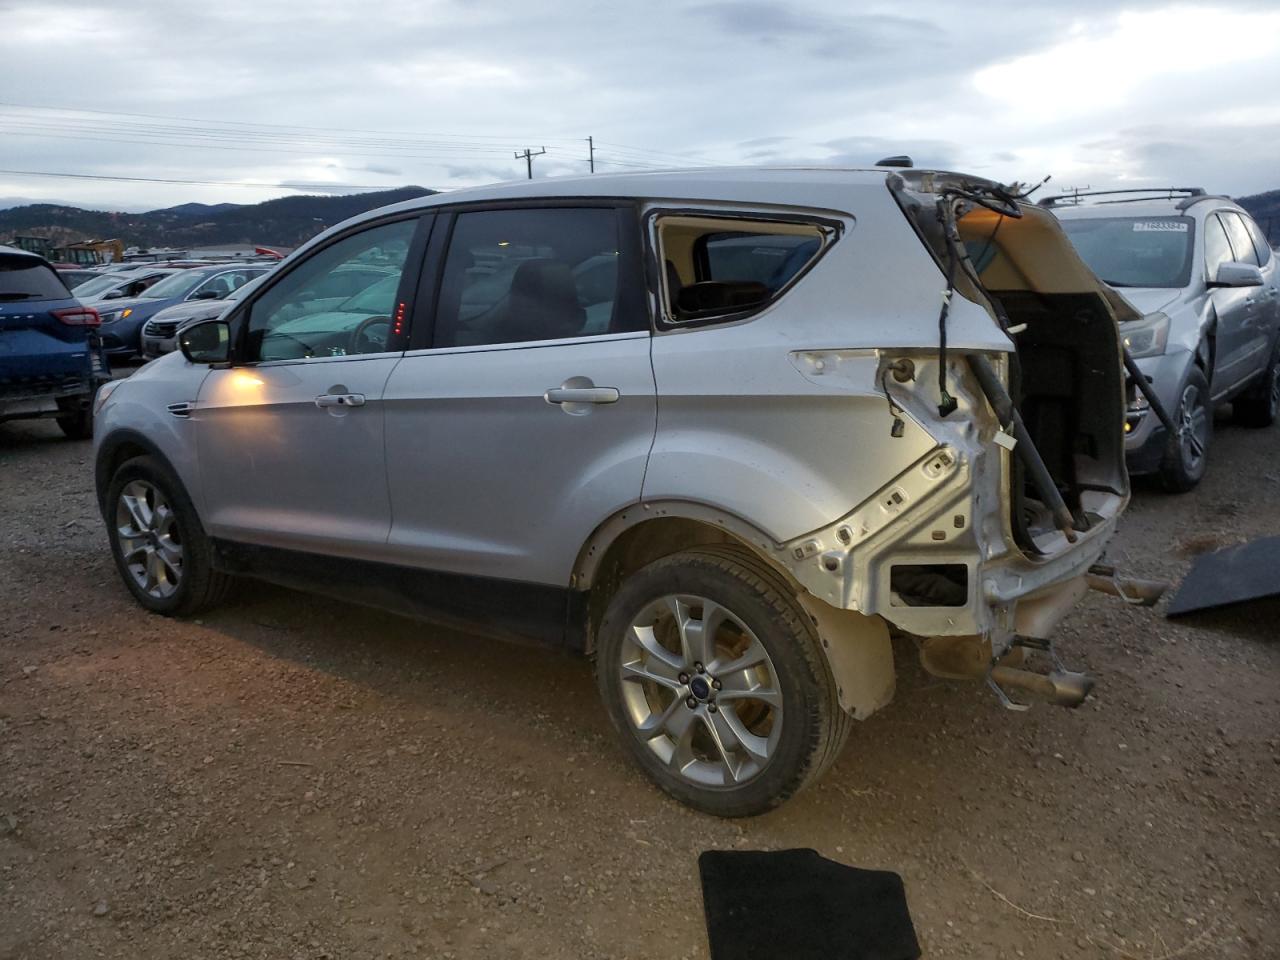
630 248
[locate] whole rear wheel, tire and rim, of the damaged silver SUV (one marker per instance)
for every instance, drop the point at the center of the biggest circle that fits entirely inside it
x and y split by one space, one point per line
675 702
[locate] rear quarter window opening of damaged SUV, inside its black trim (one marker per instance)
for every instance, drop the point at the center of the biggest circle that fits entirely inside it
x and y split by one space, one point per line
716 268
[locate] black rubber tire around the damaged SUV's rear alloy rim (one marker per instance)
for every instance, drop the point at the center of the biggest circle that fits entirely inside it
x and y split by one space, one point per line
802 692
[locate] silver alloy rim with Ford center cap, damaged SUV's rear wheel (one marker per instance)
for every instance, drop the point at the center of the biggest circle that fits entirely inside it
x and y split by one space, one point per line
701 692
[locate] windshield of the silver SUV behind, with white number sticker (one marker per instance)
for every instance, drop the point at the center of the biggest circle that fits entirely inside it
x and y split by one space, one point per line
1135 252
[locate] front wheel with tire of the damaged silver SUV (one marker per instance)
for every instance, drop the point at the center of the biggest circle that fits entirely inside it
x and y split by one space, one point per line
167 563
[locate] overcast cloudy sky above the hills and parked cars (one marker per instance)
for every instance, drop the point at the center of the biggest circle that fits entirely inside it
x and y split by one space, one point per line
259 99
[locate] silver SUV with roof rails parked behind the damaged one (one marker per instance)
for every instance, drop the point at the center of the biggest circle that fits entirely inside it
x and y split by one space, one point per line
1208 285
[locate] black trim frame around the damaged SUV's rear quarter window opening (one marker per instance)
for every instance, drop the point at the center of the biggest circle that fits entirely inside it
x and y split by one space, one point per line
833 231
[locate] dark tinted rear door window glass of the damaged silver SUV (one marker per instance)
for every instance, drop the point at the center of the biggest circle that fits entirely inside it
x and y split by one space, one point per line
534 275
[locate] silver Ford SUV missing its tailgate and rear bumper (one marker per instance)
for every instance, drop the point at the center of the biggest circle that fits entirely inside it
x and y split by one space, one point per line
721 431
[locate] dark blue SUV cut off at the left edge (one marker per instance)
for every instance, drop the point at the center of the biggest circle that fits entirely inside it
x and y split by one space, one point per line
52 360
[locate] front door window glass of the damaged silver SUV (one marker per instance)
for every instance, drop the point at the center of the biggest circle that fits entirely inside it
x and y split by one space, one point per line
340 303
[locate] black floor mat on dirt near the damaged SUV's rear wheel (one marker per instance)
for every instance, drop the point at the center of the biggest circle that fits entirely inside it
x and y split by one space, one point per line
797 906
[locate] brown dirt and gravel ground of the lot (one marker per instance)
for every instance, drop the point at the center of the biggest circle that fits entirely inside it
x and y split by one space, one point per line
292 778
